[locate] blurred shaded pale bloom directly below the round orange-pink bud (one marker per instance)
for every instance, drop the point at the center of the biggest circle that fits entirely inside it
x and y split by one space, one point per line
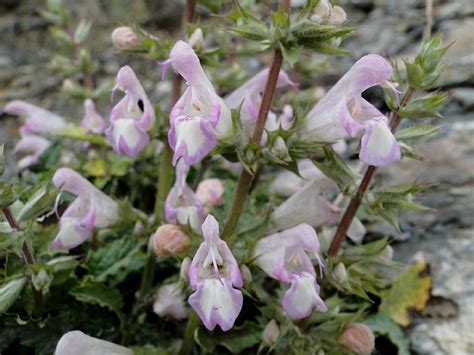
169 302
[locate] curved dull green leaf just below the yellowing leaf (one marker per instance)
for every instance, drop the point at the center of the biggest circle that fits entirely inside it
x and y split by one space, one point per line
382 324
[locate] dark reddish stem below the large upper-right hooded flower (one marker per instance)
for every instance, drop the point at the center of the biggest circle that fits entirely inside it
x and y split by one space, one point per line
356 200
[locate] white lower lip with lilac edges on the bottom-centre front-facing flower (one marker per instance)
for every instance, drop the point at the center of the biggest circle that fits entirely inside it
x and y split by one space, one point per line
217 302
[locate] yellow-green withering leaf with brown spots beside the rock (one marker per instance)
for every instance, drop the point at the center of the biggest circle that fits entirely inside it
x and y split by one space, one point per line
410 290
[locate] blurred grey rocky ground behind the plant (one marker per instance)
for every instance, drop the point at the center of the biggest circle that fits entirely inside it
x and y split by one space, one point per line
443 236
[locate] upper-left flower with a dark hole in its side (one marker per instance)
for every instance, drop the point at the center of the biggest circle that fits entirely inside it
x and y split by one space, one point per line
131 117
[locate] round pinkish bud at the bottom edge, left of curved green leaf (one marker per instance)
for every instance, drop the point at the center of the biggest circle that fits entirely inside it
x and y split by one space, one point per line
357 338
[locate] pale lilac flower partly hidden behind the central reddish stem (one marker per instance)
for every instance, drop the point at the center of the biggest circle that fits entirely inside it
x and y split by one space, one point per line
250 96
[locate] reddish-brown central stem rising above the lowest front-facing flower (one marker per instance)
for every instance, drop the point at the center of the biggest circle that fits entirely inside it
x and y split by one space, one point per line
245 179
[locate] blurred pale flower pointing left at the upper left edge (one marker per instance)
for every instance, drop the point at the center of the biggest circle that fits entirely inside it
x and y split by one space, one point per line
37 120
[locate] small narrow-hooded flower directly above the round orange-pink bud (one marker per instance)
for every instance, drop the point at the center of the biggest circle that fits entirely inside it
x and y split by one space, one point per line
182 206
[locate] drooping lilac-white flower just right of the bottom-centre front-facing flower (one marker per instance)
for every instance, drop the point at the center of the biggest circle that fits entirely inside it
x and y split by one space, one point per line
284 257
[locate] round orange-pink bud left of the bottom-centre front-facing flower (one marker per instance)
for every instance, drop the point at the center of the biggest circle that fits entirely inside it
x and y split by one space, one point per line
170 240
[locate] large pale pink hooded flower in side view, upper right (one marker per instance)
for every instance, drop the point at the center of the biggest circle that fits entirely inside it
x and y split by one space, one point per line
343 113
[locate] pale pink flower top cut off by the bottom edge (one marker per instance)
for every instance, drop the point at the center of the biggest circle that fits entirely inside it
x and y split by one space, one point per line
76 342
